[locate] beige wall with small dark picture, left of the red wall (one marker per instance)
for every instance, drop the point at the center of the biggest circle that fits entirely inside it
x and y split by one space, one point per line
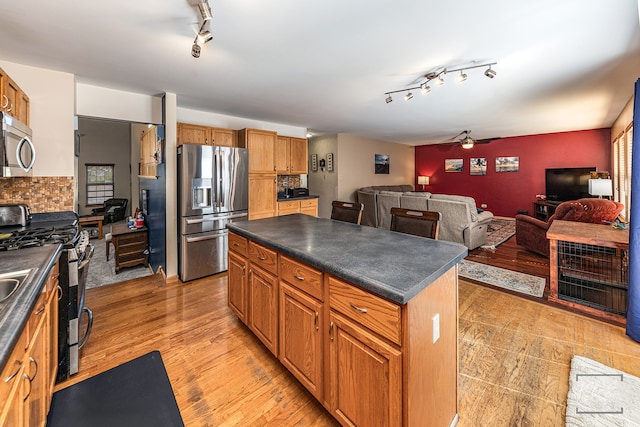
356 164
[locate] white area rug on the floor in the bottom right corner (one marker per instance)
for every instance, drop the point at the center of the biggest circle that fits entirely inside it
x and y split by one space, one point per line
601 396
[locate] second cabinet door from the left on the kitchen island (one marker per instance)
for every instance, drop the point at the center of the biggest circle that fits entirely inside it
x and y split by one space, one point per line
263 307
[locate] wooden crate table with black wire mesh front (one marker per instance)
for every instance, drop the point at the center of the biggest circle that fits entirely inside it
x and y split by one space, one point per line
589 268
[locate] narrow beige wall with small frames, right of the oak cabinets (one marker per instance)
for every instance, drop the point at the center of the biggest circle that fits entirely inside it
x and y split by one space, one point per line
324 183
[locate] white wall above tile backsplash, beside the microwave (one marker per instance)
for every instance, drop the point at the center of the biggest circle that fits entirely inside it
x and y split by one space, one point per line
52 102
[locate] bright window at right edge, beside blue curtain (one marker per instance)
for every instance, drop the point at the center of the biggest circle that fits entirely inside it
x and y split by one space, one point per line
622 148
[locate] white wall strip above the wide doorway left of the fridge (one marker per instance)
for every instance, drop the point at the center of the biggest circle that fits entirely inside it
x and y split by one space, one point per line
96 101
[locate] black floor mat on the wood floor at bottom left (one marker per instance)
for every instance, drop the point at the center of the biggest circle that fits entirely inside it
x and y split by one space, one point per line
137 393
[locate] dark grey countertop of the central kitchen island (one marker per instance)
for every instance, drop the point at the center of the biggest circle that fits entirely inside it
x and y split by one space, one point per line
392 265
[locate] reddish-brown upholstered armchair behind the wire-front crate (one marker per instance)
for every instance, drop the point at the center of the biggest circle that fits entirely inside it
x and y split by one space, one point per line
532 233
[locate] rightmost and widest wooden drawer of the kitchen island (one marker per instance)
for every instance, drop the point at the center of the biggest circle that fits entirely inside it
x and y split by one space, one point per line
379 315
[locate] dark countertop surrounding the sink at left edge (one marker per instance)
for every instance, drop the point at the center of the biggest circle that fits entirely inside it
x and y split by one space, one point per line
15 311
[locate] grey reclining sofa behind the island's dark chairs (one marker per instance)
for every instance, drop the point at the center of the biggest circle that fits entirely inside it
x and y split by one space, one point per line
461 221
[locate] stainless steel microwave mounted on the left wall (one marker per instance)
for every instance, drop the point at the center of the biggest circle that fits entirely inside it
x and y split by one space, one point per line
17 152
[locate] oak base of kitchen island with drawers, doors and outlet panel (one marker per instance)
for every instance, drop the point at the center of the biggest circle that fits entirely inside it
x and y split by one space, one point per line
368 360
